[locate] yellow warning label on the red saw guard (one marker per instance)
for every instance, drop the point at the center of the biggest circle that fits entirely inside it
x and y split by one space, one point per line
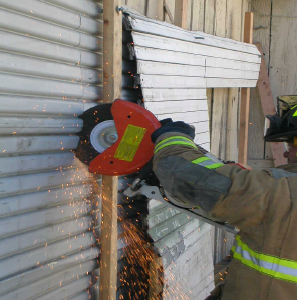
130 143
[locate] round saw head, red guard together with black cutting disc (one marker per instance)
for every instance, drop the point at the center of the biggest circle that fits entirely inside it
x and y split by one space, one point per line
116 138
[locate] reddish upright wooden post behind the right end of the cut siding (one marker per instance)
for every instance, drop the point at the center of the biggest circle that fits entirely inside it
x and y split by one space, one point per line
245 97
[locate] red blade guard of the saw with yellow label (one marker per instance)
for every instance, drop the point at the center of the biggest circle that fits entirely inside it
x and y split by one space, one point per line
134 148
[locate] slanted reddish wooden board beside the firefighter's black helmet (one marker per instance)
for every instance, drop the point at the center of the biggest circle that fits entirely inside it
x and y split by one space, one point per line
269 108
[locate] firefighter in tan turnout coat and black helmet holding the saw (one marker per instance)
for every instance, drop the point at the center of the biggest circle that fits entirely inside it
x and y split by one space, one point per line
262 204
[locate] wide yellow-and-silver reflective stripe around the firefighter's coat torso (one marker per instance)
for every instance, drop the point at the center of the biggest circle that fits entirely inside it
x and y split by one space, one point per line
283 269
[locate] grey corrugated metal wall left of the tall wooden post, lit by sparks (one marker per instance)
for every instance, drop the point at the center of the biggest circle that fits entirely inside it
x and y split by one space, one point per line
50 72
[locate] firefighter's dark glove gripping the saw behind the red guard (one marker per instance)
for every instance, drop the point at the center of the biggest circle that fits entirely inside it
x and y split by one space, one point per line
180 127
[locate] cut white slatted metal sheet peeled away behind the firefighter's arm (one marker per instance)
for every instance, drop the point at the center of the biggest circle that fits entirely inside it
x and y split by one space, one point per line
173 68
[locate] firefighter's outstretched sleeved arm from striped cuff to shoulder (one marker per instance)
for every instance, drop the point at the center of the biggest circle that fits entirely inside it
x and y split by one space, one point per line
227 192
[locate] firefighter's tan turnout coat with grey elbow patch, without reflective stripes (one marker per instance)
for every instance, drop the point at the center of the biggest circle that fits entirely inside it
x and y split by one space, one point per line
262 204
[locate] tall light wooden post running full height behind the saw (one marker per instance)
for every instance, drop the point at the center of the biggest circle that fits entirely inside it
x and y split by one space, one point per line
112 73
